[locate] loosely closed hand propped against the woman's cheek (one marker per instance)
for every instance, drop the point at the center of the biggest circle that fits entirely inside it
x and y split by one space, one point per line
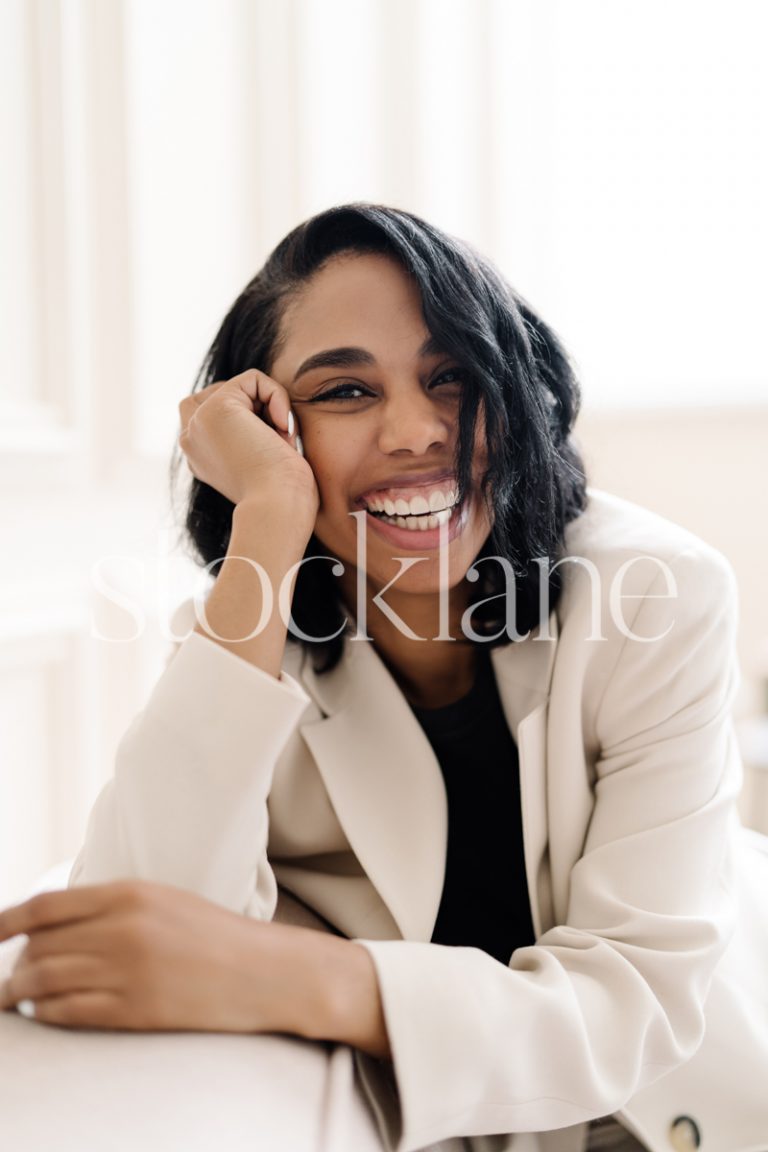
240 436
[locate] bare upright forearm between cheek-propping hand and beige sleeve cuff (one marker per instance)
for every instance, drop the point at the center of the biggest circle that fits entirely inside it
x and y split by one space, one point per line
276 541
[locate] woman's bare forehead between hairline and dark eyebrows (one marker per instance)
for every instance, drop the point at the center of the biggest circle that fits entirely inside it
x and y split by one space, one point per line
367 300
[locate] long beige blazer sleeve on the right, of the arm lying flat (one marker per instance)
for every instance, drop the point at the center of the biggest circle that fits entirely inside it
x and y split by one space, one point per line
613 998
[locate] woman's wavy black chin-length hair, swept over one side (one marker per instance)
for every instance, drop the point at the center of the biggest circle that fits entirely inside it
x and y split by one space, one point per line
516 369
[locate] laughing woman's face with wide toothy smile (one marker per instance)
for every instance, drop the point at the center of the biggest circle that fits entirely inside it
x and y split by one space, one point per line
378 411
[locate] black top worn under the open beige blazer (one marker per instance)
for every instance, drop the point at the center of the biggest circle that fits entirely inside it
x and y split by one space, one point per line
485 900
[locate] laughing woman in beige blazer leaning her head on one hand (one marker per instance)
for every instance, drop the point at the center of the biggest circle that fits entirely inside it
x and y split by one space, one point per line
446 764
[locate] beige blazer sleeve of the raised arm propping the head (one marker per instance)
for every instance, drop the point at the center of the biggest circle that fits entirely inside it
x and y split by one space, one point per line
188 801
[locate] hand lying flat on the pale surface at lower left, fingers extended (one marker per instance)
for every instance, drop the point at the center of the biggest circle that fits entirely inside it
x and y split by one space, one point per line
150 958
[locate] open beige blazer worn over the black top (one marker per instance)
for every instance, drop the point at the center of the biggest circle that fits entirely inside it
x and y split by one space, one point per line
235 785
